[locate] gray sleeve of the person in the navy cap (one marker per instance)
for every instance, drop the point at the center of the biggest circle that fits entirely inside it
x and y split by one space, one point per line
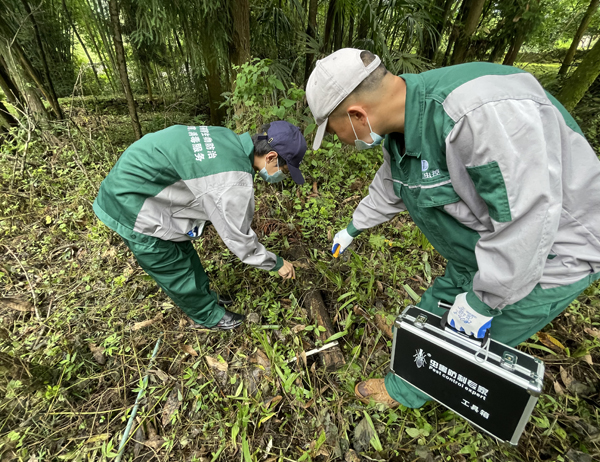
231 209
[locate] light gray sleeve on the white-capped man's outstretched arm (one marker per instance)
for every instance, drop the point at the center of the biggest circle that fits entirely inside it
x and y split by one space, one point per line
382 203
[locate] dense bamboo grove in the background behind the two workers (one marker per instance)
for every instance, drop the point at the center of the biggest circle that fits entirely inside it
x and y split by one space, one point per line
128 47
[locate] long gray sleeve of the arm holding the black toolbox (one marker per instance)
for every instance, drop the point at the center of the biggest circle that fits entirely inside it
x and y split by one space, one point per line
525 136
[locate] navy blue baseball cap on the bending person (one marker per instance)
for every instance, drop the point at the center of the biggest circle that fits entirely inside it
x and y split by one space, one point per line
287 141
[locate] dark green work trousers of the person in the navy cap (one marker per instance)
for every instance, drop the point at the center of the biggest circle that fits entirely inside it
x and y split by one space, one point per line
176 268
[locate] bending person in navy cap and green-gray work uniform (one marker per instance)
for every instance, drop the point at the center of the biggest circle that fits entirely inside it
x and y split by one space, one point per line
167 186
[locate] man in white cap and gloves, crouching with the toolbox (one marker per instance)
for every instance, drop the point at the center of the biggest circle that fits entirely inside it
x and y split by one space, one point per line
491 168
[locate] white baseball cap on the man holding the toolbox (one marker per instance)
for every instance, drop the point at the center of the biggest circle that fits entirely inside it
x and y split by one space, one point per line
332 80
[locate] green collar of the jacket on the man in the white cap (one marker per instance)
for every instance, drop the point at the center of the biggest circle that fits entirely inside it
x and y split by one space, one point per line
413 113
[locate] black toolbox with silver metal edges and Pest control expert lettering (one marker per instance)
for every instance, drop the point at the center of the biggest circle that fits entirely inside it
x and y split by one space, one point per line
495 390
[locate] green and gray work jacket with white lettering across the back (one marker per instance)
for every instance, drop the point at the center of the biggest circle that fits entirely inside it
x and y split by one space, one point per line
169 184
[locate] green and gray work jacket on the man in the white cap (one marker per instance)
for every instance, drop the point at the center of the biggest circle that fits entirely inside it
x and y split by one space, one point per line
499 178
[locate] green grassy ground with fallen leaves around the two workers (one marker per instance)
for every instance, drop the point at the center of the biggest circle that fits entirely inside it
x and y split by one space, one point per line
60 401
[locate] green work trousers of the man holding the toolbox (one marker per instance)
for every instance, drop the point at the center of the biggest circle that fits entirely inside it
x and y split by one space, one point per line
515 324
